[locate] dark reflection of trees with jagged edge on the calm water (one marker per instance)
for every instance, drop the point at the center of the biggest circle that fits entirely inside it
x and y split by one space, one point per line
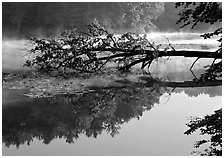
70 116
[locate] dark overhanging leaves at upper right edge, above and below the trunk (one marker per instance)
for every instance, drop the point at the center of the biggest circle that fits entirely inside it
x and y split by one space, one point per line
193 13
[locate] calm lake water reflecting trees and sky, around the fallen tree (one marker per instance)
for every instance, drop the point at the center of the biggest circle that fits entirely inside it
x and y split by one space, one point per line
130 121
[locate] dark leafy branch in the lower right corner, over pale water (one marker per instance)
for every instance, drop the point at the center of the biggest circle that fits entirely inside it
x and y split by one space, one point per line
209 125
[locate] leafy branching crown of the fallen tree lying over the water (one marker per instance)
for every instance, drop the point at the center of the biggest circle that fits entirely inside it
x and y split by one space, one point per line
89 52
